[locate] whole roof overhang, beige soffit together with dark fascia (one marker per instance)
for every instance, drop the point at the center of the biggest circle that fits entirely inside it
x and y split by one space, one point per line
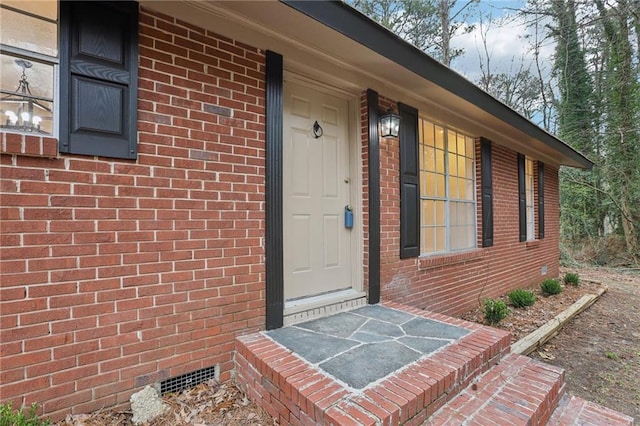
335 44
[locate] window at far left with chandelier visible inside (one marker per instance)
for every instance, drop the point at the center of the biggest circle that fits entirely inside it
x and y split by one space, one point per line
28 61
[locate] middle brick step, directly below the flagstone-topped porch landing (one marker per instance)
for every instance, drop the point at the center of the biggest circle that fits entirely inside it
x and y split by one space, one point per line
518 391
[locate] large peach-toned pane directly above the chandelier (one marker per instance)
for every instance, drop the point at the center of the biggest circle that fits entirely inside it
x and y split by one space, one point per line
28 32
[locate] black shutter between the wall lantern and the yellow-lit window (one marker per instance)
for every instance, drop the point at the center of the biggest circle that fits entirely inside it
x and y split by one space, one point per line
409 188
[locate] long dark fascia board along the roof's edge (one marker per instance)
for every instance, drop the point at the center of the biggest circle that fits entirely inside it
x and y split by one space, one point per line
358 27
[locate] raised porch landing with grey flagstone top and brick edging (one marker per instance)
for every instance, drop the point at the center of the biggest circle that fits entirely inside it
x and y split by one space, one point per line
384 364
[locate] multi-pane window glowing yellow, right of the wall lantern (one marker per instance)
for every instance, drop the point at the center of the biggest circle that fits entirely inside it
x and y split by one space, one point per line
447 189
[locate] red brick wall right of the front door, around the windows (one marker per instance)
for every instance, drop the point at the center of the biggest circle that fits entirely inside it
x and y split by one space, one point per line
455 283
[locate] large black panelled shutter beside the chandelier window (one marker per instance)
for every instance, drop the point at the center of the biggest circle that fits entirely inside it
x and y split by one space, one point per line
99 78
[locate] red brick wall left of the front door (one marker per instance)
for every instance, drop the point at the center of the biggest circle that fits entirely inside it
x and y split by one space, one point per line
116 274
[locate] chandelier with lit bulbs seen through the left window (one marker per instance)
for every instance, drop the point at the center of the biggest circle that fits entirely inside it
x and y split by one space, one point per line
24 116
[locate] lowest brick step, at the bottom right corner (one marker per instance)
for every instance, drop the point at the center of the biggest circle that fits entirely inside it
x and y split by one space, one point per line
574 411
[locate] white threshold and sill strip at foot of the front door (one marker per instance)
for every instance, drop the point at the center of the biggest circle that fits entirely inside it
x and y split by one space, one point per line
323 305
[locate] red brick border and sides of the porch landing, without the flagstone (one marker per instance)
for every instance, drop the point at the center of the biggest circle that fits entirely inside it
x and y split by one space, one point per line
299 393
